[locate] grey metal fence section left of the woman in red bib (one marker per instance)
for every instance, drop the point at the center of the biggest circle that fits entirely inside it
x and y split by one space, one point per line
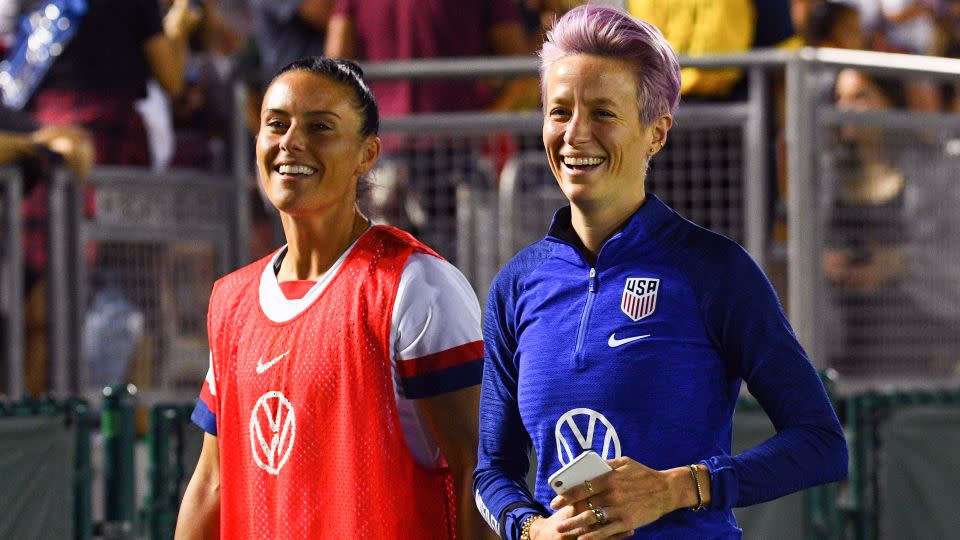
132 256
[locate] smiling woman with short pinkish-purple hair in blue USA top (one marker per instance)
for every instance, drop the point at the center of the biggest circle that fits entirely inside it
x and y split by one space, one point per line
628 329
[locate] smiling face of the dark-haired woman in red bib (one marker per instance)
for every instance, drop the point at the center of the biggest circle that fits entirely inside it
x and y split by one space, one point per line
309 148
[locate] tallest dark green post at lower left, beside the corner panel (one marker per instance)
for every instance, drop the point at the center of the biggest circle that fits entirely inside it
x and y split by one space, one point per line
119 438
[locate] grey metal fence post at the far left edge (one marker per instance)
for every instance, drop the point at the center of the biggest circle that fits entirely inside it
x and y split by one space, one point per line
14 324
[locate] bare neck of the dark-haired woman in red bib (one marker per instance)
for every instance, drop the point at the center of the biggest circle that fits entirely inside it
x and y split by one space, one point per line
315 243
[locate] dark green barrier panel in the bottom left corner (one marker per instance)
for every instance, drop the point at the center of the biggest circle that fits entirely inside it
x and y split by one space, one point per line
41 443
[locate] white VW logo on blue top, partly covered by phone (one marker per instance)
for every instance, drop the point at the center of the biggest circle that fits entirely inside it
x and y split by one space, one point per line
573 441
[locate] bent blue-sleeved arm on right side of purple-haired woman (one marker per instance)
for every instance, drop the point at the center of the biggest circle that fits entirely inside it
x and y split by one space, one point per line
755 339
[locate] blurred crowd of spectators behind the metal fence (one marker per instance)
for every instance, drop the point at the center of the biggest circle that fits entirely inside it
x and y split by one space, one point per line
157 90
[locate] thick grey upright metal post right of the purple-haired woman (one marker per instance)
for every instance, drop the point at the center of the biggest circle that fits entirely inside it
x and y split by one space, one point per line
803 269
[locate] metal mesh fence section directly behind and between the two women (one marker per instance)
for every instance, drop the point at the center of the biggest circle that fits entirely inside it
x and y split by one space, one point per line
476 186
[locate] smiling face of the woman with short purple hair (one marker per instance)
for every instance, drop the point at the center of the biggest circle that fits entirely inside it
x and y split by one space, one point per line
596 145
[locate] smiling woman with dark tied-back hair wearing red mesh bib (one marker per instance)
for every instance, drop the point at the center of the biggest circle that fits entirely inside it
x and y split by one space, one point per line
341 400
